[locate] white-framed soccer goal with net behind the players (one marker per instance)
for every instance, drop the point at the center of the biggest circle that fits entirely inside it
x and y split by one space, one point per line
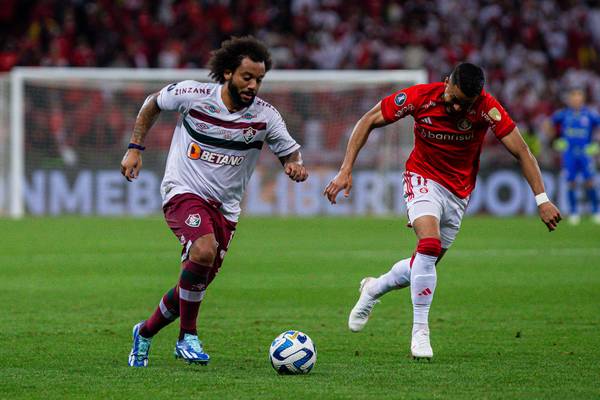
69 129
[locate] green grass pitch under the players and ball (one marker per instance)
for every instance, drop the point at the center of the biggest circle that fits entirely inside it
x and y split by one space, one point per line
516 312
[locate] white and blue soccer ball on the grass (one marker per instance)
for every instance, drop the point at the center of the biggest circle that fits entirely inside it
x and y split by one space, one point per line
292 352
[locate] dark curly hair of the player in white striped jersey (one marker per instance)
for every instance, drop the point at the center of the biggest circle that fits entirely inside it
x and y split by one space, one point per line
231 53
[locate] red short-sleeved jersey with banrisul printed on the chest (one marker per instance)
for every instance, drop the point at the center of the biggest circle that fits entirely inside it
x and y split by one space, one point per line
447 147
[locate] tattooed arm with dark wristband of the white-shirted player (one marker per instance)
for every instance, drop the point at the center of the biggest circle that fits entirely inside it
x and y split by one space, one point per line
132 160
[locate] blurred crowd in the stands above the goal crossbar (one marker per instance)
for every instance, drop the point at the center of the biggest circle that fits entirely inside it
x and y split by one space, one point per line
531 50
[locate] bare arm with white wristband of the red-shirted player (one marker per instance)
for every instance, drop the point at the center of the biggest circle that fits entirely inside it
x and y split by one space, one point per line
549 213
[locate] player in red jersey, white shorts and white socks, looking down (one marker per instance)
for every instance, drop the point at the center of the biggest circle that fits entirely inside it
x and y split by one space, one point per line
451 119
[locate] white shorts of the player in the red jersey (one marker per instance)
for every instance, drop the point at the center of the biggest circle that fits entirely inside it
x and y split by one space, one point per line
426 197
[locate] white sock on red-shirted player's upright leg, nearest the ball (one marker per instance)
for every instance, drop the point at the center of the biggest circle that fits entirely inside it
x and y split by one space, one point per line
422 286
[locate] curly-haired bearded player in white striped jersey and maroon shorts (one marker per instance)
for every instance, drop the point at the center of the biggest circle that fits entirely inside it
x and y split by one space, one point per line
215 147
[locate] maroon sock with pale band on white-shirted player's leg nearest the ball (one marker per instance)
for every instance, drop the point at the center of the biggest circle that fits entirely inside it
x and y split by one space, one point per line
192 285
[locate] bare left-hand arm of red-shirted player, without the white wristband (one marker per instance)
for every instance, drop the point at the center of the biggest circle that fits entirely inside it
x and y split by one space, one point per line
343 180
